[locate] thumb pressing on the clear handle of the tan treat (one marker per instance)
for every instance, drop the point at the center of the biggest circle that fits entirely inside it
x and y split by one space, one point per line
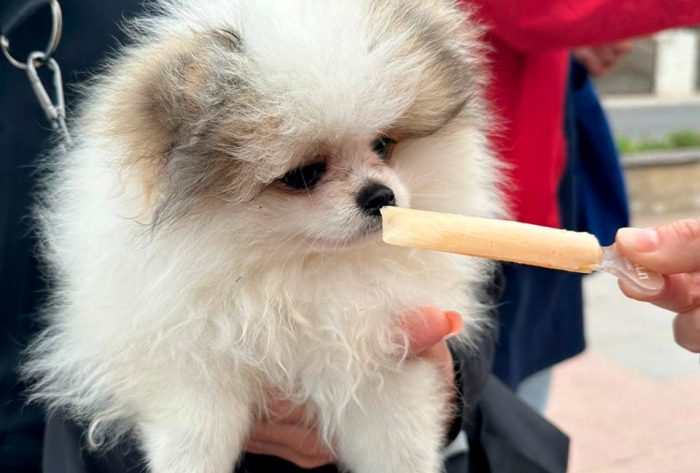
669 249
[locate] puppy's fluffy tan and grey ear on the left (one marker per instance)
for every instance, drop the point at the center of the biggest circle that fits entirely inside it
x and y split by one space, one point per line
159 96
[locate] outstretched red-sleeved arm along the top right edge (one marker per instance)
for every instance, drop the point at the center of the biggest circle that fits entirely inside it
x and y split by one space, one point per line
541 25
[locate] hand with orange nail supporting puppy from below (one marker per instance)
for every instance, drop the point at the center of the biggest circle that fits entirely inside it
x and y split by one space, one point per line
286 435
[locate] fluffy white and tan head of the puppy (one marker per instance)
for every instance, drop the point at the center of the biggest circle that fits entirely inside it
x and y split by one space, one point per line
288 118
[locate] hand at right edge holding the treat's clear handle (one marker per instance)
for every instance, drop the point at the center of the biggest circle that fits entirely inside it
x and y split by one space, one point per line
672 250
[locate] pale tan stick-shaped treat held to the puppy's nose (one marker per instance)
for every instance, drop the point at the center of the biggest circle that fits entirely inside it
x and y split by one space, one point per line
500 240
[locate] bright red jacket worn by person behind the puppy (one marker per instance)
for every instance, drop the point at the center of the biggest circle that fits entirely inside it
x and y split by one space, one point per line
530 41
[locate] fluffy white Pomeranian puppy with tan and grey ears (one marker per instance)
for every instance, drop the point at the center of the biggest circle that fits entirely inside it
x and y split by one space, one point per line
213 232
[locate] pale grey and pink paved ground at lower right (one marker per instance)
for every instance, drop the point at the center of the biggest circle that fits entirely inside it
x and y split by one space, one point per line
631 403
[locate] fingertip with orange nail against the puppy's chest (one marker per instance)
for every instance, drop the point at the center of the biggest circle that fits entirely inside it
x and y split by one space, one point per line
427 327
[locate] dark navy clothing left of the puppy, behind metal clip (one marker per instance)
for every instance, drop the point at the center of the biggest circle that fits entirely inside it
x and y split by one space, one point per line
89 29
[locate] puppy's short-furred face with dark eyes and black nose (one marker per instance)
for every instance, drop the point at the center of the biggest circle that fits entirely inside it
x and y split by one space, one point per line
331 196
